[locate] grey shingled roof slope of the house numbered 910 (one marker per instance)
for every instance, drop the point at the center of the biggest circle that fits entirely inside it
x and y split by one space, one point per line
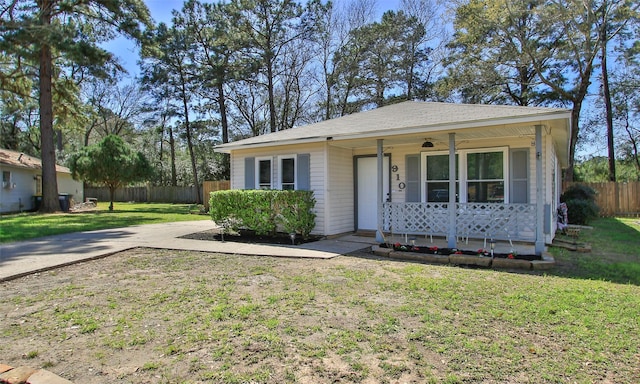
408 117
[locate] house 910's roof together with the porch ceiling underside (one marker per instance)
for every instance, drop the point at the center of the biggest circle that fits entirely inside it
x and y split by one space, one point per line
410 121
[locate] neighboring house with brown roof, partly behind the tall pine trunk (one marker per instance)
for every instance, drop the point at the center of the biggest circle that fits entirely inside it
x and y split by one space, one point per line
22 181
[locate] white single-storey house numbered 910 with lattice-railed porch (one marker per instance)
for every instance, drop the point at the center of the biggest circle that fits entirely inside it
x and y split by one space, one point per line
439 169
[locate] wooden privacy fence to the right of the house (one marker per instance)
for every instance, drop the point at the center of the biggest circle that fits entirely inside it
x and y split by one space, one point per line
615 199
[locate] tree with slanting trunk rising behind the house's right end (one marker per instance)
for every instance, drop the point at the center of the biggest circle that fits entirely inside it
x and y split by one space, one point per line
553 46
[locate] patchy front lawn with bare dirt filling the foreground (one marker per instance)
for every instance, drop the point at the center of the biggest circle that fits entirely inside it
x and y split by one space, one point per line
161 316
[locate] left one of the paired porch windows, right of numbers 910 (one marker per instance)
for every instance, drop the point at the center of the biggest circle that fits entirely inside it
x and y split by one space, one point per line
437 178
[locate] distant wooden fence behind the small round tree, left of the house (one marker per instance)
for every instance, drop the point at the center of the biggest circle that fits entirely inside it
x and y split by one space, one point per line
162 194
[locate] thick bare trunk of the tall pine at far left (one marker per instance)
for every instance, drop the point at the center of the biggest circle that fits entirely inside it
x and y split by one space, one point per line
50 202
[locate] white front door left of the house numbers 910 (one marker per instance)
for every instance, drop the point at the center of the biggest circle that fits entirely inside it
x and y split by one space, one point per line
367 191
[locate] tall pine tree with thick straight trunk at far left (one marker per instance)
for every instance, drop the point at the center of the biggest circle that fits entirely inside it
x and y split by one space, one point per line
47 34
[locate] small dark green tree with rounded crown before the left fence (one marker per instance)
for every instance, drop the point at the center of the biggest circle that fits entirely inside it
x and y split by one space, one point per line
111 163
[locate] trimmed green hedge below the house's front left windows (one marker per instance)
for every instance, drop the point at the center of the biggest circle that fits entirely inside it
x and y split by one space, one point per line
264 211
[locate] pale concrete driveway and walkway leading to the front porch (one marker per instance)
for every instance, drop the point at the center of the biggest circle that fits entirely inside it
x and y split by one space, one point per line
41 254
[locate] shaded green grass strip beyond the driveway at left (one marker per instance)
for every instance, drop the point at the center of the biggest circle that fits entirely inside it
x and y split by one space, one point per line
31 225
